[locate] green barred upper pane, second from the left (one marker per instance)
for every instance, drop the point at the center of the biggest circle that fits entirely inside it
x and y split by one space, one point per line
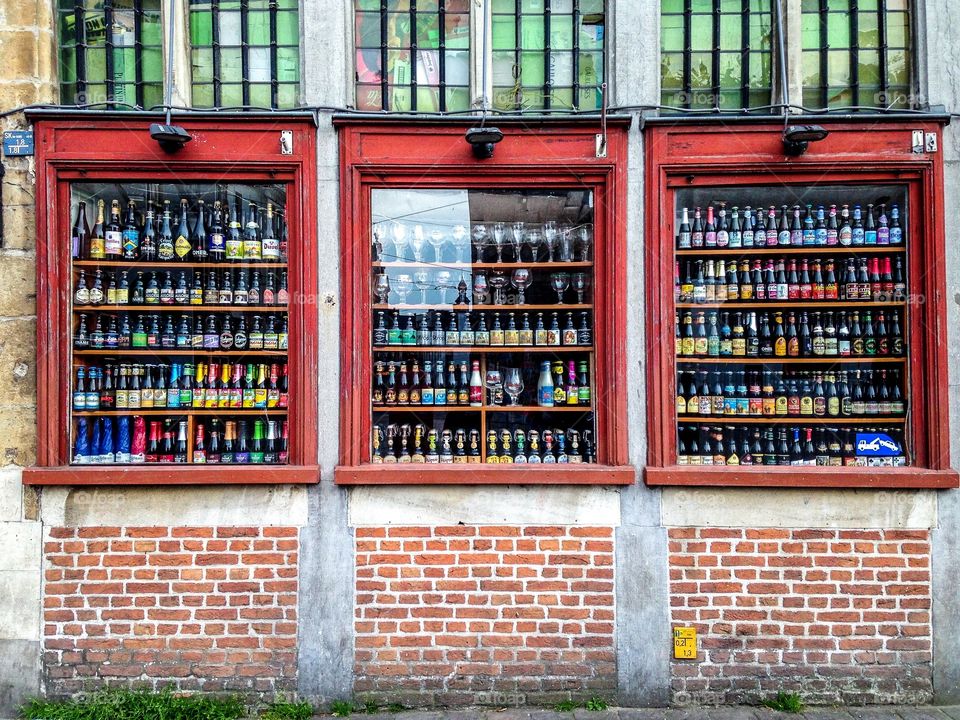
245 53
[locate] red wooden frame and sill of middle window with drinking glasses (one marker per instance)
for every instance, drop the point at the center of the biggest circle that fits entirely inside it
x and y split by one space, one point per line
377 155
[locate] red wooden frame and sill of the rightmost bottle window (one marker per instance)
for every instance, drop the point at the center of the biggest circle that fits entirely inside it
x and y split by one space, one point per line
685 156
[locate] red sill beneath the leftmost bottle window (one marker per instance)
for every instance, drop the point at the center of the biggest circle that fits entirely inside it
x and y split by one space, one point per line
172 475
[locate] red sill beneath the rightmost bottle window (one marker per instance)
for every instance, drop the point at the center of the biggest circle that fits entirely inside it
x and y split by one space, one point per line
823 477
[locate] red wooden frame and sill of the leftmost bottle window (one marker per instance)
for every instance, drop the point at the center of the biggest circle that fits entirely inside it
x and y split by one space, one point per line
96 148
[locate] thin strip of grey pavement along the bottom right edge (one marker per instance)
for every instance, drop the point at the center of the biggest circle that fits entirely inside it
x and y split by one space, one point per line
870 712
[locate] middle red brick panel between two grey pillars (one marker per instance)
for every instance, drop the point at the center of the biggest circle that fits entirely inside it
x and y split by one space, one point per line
482 614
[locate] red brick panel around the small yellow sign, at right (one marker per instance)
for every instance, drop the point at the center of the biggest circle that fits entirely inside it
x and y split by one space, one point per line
836 615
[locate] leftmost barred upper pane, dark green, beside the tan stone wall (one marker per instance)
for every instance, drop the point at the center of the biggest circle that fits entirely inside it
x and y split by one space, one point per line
110 52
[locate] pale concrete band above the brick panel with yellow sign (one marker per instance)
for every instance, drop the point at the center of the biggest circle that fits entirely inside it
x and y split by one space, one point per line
802 508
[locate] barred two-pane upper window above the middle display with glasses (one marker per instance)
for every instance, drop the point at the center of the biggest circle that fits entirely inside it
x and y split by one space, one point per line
416 55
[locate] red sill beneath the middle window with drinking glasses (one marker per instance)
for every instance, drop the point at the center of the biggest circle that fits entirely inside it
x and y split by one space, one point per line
474 474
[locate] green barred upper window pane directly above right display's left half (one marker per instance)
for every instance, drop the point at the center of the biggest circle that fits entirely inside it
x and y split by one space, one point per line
716 54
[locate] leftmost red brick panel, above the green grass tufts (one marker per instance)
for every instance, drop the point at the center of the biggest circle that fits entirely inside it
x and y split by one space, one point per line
203 608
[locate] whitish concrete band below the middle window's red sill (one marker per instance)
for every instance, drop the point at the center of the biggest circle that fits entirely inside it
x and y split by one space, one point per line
480 505
